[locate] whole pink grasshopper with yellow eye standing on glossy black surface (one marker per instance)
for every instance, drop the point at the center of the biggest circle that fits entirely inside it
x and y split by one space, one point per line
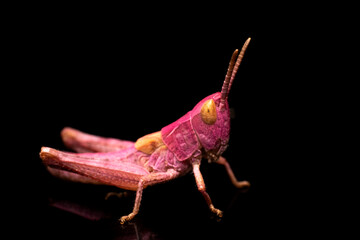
158 157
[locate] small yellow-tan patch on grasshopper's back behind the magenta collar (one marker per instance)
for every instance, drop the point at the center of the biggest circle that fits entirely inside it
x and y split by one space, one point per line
149 143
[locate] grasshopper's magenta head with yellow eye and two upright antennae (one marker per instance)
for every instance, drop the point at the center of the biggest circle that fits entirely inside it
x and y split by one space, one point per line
211 116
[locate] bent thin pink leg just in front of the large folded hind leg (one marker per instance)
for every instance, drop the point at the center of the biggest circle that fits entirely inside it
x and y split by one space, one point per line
152 178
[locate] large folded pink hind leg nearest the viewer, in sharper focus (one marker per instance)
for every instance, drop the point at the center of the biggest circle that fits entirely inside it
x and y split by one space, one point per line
122 169
